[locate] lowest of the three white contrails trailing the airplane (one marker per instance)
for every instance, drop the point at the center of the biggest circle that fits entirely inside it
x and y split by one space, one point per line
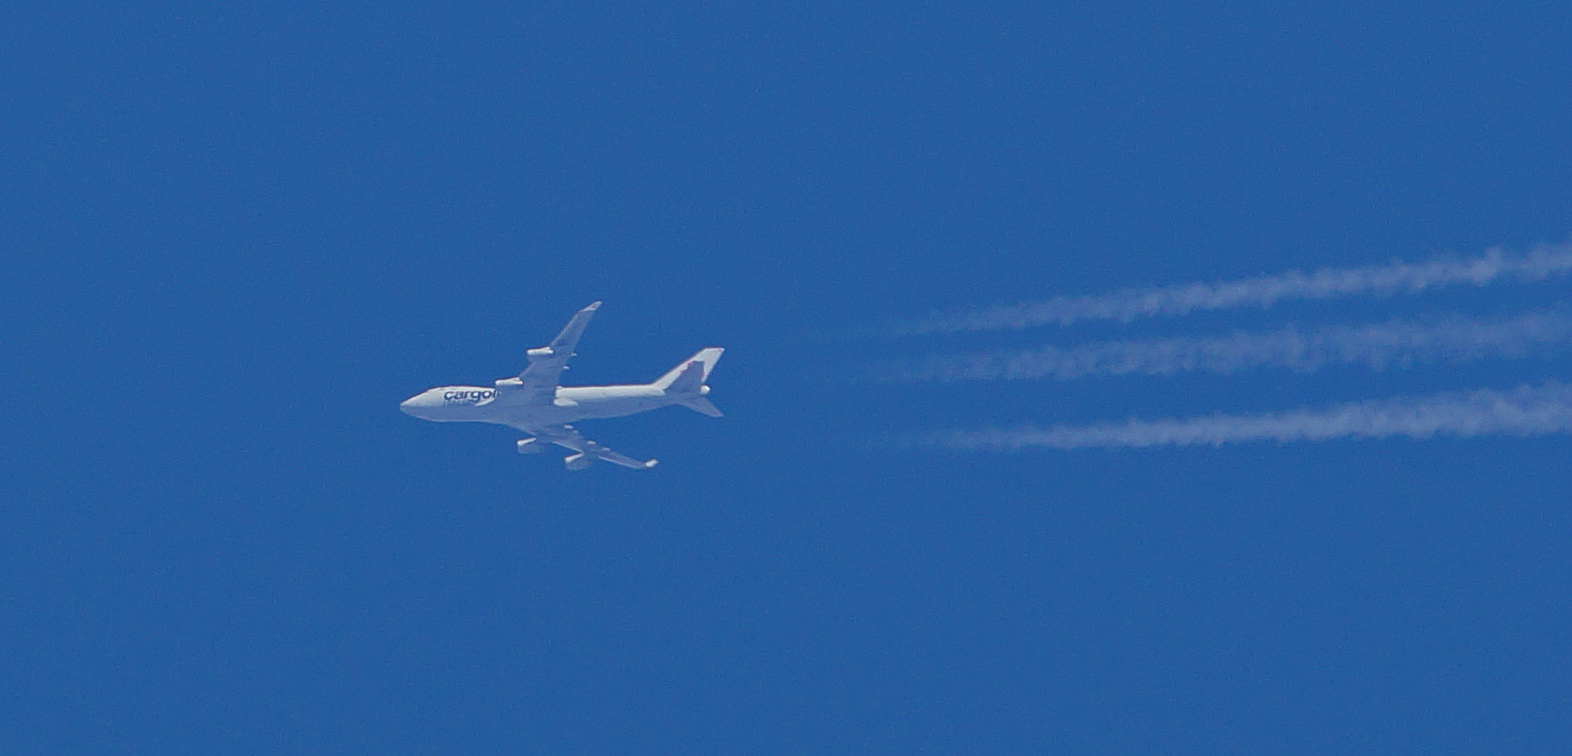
1527 411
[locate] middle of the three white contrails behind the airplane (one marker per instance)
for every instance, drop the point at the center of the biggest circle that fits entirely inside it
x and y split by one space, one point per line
1379 347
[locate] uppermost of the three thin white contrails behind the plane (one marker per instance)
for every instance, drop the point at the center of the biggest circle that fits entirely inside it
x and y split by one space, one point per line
1265 292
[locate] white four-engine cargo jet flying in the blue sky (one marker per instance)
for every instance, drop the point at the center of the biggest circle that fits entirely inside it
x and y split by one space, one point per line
537 405
